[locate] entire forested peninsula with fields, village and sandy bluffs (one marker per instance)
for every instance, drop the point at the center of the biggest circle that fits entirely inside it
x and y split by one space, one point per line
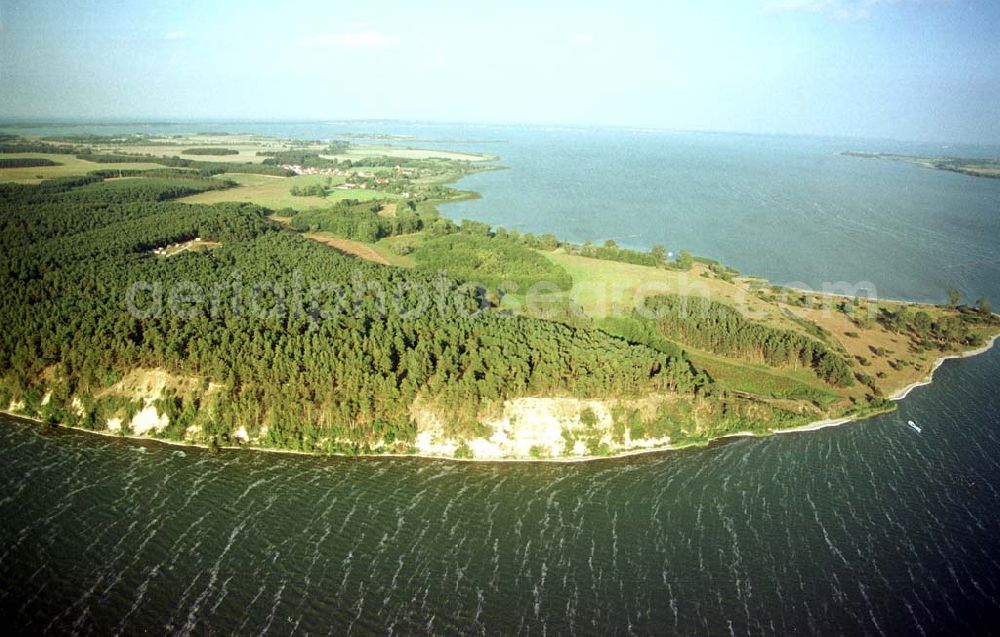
309 296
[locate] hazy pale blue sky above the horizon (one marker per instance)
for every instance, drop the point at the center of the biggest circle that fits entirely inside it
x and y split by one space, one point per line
910 69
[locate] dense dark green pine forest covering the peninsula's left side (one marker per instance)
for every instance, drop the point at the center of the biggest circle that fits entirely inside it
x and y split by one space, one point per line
309 346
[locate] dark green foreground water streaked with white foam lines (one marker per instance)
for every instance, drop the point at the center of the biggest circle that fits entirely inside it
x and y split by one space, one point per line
863 529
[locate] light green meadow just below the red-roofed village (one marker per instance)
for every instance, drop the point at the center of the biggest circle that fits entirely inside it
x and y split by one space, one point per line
273 192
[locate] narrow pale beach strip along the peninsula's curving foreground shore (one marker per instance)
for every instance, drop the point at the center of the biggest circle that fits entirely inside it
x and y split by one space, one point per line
813 426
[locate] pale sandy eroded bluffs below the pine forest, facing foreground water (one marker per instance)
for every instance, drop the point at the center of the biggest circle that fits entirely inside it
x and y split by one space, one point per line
522 428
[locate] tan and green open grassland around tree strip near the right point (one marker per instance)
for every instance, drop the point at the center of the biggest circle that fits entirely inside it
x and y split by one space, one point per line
606 289
